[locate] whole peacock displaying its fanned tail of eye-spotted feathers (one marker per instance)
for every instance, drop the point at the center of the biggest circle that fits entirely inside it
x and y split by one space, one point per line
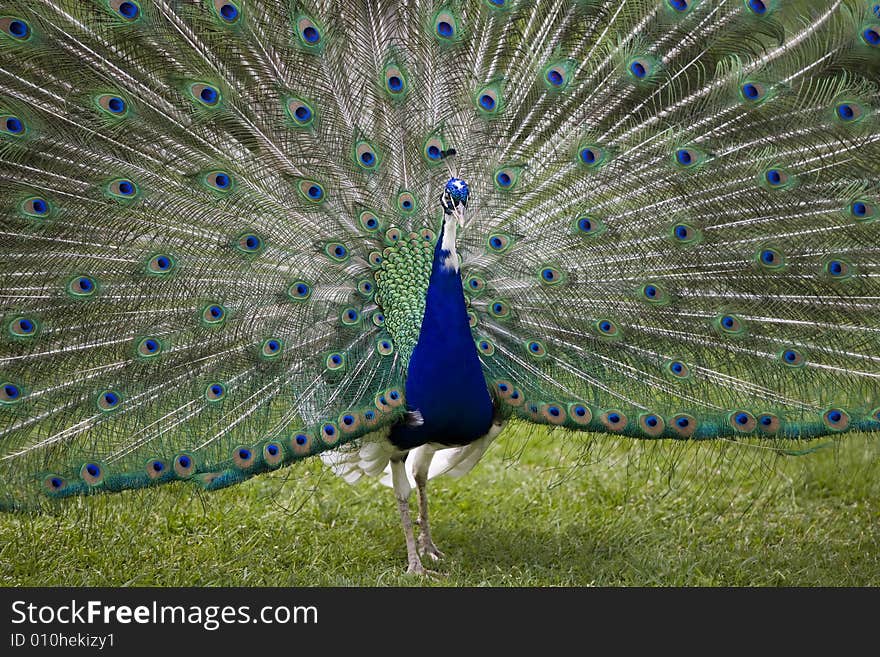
237 234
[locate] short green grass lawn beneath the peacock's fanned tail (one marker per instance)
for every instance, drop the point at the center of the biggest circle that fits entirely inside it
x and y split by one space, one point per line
549 509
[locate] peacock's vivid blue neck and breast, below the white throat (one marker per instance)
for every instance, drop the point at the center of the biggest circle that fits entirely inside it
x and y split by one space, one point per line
445 380
